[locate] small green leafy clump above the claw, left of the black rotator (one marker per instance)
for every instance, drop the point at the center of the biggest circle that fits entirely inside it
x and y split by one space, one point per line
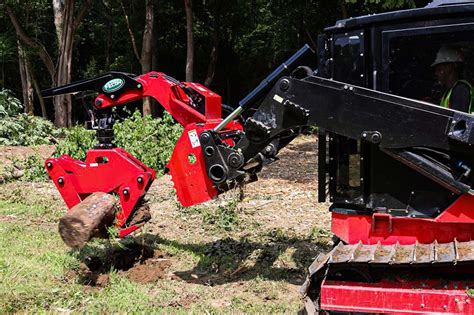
76 143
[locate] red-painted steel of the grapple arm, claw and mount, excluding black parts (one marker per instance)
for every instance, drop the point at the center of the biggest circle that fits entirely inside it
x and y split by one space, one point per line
117 171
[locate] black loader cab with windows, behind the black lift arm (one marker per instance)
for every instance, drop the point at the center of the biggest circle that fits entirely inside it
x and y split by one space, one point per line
390 52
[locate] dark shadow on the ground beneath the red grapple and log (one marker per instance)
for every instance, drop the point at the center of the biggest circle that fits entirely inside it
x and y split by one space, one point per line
221 261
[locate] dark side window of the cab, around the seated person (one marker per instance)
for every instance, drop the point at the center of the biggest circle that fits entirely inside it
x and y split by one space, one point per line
413 59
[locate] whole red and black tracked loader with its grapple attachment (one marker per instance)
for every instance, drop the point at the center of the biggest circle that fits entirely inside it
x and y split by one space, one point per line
396 166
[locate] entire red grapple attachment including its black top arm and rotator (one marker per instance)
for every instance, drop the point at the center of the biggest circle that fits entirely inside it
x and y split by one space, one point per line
114 171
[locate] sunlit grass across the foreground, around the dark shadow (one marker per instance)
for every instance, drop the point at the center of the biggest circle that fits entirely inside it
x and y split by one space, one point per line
34 264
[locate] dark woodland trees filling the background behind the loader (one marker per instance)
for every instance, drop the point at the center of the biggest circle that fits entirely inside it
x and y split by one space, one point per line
234 43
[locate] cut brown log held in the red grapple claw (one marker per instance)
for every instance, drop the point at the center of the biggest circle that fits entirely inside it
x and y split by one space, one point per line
87 219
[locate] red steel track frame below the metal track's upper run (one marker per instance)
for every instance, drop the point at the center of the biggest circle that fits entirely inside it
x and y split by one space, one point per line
414 297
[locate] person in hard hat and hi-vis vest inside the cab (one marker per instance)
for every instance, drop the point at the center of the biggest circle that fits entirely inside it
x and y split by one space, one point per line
459 93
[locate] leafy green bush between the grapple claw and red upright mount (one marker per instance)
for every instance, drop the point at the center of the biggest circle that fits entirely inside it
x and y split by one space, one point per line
150 140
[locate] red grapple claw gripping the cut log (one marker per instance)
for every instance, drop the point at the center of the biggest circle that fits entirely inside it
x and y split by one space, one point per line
111 171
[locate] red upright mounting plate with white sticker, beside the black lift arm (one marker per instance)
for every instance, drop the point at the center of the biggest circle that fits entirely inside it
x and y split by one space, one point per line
187 167
